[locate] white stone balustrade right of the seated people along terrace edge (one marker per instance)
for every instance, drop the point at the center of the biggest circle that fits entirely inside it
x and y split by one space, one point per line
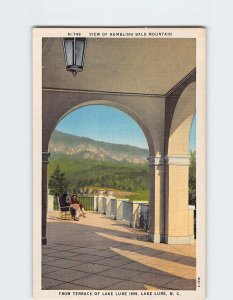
134 213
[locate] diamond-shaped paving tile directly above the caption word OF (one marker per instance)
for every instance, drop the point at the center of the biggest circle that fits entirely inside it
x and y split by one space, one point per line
96 282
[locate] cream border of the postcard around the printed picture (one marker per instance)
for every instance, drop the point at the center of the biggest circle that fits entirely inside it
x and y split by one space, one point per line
199 34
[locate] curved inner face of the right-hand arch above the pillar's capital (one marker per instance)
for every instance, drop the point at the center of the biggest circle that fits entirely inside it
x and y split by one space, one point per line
178 143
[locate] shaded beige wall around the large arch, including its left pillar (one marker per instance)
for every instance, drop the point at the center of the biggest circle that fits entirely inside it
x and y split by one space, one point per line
56 104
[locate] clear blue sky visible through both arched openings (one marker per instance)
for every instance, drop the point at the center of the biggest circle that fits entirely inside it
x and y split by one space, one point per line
108 124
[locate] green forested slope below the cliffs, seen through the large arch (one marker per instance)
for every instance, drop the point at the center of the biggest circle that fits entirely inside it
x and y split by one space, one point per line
82 173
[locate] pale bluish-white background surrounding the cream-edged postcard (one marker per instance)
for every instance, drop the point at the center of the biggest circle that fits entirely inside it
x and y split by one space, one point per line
17 19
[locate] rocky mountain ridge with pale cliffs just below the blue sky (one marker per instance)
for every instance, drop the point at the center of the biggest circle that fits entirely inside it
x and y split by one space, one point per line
84 148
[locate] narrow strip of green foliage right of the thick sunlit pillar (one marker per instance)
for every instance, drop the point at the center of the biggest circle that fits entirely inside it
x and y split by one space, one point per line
192 178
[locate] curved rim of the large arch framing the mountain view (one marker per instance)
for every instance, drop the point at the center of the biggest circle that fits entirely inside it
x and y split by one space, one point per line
59 116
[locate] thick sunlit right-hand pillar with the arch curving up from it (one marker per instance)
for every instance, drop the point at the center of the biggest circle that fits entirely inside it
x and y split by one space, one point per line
179 215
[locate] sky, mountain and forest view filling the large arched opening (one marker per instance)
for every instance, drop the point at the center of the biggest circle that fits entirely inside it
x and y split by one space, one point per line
100 147
